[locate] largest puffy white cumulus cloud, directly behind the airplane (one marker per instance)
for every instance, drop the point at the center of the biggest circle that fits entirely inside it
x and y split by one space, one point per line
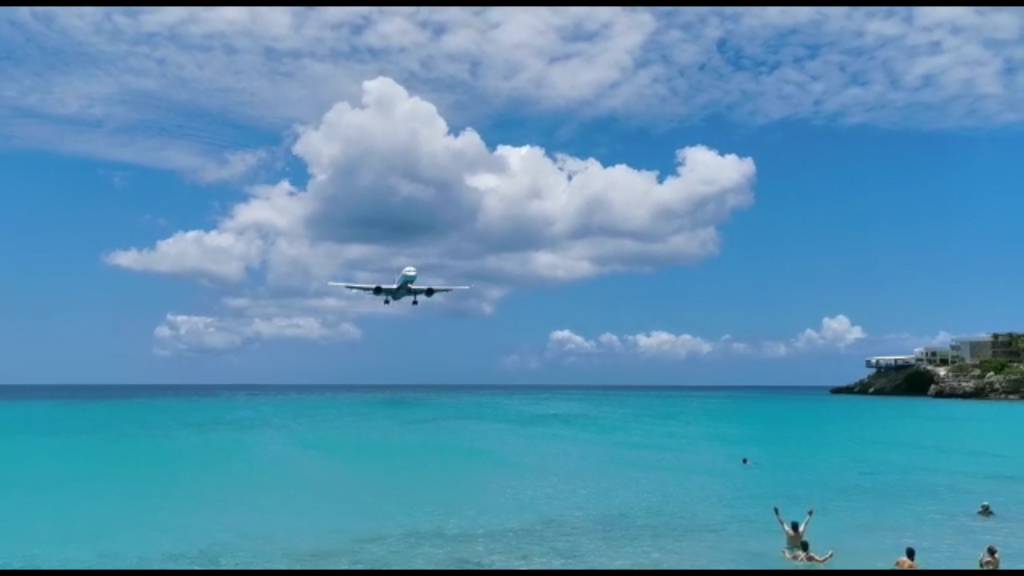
391 185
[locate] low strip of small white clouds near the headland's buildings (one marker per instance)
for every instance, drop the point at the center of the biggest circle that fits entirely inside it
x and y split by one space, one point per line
835 334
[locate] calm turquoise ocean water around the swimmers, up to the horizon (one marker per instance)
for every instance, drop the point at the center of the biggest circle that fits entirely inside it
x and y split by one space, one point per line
499 478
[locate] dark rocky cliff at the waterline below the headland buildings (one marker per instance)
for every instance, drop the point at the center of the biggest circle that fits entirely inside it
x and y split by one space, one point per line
938 383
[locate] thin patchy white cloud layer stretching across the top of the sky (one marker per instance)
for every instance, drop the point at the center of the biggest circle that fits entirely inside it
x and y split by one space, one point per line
182 88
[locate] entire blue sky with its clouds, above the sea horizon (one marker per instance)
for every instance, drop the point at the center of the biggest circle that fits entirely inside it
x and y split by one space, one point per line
182 184
